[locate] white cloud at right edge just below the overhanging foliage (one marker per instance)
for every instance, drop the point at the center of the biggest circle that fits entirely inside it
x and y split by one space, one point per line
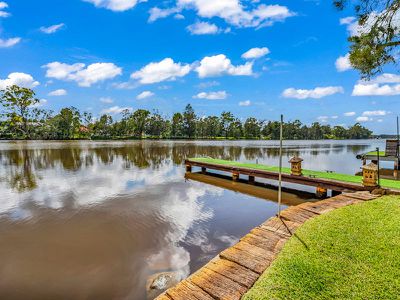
384 85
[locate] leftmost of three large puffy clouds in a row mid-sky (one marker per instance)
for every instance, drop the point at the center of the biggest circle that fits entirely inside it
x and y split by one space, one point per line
84 76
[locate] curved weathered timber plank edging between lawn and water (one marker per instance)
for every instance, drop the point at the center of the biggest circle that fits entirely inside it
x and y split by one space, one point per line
234 271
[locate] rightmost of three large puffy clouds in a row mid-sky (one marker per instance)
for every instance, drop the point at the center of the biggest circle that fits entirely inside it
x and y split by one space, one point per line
211 66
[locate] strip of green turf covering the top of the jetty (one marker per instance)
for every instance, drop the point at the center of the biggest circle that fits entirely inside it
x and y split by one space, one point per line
387 183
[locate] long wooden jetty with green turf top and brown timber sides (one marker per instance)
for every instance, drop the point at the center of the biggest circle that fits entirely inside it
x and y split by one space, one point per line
323 180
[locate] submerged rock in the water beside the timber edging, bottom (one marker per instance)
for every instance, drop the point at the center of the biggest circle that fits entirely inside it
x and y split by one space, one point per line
157 283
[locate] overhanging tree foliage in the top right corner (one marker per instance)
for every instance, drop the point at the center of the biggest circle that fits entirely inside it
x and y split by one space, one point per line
377 39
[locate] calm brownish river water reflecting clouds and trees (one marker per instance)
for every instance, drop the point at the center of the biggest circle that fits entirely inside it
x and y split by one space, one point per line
93 220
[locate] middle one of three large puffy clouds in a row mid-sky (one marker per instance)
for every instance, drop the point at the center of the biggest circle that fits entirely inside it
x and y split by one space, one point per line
164 70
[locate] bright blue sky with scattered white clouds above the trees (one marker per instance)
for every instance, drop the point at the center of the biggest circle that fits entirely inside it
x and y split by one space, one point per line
106 55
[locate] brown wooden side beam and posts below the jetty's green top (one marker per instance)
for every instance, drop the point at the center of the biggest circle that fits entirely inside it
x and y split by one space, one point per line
321 184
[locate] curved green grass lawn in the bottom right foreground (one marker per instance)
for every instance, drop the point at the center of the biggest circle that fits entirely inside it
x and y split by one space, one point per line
350 253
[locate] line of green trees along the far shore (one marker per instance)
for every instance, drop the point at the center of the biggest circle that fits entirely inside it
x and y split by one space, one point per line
22 118
